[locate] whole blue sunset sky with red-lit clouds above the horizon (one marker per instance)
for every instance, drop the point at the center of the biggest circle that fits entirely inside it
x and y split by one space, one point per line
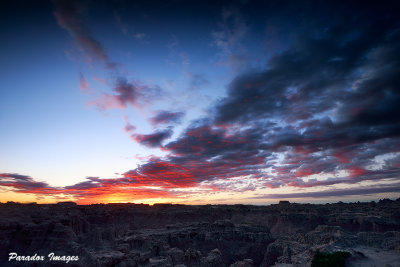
199 102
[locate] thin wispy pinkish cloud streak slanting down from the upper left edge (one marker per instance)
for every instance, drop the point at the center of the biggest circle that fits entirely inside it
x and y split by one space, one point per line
69 15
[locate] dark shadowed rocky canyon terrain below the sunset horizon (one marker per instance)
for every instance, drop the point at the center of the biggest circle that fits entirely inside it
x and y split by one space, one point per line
284 234
